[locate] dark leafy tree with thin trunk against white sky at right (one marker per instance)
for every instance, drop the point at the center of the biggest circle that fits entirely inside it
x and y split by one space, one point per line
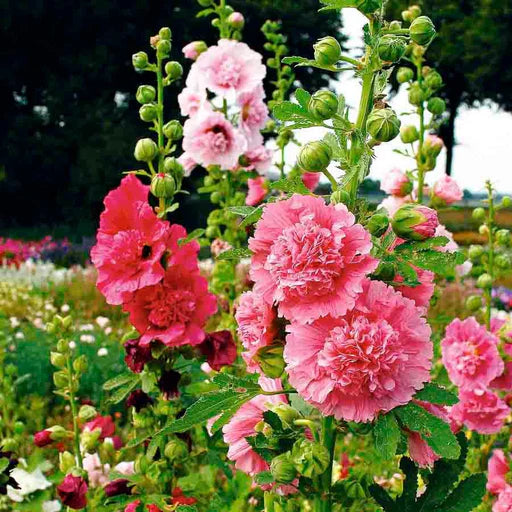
472 53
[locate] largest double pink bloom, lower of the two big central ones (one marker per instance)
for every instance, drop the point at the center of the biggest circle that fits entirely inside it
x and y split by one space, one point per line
371 360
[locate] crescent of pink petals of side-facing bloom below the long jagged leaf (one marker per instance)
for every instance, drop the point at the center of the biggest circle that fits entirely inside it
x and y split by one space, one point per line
242 426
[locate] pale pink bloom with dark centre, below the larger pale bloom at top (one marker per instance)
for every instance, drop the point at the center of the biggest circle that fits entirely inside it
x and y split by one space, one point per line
210 139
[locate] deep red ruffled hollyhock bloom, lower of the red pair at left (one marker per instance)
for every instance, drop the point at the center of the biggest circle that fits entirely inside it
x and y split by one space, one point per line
175 310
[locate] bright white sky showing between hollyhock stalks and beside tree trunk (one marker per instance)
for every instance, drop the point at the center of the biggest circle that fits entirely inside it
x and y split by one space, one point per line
483 134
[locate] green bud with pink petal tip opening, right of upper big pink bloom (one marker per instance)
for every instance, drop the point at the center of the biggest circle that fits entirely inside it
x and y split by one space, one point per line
415 222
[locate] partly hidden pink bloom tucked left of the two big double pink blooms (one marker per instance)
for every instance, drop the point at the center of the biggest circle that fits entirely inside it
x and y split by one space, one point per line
256 326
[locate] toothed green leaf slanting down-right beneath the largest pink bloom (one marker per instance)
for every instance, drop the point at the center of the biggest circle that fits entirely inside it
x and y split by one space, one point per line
432 429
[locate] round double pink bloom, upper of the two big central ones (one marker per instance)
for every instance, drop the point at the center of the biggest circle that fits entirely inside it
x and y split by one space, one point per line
309 258
